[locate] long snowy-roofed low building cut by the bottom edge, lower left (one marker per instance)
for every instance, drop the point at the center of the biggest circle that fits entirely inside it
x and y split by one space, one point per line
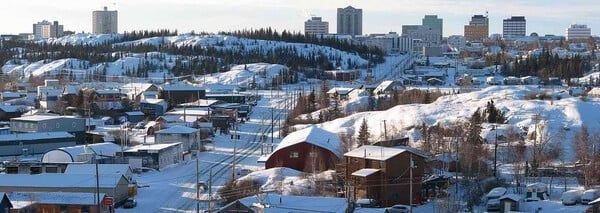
55 202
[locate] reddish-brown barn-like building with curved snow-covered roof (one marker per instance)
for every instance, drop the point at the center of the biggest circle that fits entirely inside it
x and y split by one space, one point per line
311 149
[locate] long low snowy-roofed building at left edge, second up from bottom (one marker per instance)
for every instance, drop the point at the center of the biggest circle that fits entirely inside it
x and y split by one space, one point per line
113 185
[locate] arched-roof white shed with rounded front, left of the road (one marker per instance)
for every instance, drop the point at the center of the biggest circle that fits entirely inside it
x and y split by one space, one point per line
81 153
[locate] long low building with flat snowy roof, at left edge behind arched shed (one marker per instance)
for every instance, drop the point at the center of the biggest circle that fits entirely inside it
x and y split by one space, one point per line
34 143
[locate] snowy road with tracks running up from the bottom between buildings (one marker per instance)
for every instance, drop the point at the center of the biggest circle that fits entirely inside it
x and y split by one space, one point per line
173 188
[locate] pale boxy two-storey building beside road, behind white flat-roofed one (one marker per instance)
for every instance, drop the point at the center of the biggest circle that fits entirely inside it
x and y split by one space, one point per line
189 137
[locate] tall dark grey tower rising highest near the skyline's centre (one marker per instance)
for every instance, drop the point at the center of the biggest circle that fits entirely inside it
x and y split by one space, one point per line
349 21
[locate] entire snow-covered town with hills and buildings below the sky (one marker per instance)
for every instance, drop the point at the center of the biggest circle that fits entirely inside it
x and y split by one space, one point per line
274 120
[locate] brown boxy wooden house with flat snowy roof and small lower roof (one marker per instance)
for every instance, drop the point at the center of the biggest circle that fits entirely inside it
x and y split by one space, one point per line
383 174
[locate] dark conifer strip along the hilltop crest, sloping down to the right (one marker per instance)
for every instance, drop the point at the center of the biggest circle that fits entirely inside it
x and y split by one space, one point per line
374 55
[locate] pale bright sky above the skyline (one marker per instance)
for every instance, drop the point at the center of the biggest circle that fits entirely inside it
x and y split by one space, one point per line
381 16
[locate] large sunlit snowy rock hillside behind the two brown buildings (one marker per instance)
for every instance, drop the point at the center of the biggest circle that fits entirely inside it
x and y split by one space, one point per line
566 113
